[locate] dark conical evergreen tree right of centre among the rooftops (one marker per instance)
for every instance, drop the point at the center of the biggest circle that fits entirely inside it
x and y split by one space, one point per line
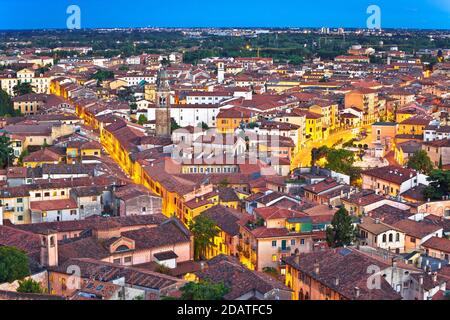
341 232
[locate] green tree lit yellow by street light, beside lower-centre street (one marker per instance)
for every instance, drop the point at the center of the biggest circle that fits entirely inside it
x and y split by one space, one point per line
204 230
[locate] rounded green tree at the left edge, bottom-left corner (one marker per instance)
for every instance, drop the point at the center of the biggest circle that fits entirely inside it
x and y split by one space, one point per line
14 264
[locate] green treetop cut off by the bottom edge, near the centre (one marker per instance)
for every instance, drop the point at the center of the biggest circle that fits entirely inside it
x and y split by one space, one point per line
203 290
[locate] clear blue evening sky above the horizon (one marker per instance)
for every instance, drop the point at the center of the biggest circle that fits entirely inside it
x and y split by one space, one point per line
38 14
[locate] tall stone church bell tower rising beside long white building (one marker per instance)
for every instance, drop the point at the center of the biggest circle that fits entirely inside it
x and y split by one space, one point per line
162 112
